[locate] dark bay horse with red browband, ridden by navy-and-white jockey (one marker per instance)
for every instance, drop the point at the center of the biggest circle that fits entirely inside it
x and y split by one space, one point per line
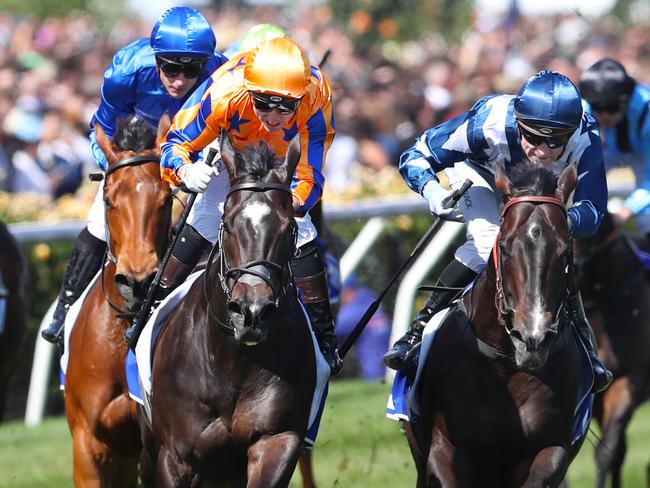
501 382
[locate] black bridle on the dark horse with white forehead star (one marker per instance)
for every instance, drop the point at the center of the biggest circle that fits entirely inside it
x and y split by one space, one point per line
260 268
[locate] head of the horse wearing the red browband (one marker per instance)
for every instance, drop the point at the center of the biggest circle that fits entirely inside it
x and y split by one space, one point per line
531 259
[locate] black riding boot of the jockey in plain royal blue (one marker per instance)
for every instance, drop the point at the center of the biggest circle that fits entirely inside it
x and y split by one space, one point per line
85 260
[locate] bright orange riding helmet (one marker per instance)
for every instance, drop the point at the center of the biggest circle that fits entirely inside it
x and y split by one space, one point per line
278 66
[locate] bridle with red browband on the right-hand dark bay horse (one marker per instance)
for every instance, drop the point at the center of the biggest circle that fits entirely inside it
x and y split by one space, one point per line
504 310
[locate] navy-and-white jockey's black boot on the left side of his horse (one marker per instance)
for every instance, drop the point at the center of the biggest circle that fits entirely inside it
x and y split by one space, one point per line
455 275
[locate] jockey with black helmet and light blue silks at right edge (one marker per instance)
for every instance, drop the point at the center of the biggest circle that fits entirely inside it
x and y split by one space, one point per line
620 105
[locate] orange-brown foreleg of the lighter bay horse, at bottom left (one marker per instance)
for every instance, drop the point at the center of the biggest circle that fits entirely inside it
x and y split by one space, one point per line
87 454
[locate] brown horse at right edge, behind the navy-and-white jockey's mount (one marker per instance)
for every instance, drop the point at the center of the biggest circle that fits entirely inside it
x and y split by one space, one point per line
616 293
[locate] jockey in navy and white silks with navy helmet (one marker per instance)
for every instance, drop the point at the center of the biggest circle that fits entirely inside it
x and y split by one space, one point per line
544 123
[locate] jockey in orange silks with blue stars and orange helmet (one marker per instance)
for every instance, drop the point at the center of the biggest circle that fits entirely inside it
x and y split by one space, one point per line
272 94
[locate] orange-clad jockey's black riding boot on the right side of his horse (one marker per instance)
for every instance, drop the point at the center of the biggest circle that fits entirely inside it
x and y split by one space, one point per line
309 275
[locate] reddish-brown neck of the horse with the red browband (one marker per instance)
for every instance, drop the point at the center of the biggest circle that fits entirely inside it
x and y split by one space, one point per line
482 312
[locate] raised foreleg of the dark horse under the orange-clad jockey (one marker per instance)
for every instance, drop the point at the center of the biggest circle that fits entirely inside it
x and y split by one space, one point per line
272 460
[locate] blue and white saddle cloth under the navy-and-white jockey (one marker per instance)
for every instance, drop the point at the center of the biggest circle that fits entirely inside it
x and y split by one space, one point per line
404 399
